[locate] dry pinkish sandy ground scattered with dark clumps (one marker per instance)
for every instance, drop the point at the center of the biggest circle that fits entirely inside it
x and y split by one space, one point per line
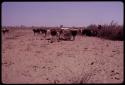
28 59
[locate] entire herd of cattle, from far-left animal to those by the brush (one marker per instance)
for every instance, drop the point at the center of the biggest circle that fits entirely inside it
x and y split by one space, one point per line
68 33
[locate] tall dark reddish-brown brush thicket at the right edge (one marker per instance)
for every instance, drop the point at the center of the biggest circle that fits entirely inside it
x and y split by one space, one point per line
113 31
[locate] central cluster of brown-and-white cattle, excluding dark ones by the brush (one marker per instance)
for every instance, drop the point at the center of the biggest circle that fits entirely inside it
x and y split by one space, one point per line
67 33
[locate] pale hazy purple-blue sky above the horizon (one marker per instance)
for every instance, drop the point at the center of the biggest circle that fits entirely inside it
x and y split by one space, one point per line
65 13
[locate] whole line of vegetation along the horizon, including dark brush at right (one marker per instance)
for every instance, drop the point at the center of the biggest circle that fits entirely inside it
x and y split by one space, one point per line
111 31
